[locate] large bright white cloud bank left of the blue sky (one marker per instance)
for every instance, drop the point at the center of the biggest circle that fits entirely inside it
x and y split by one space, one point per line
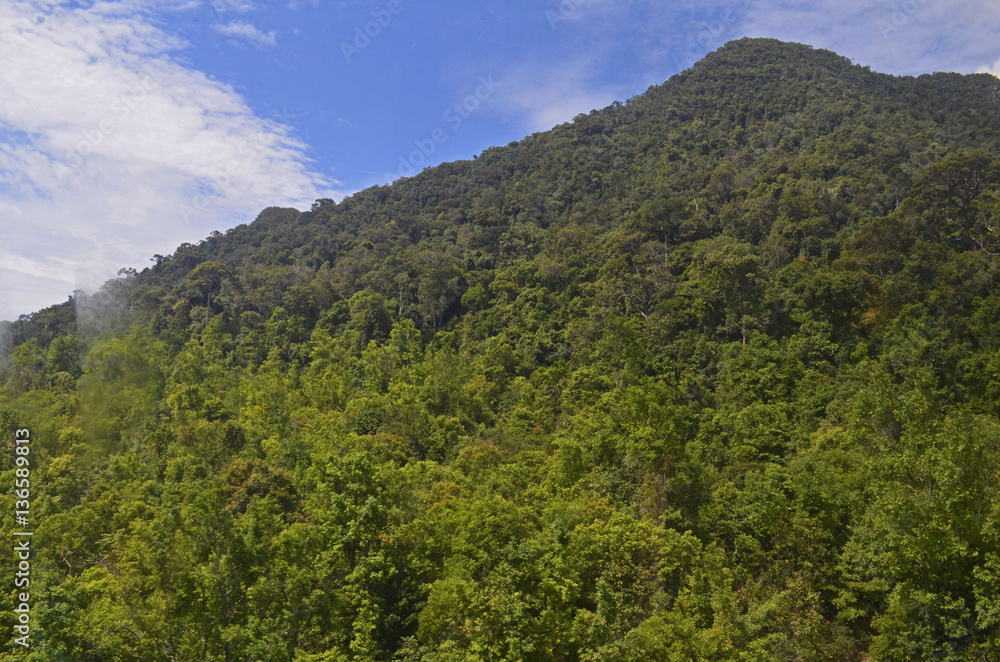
111 151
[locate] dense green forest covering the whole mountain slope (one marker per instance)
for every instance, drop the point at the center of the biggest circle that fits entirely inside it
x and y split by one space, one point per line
710 374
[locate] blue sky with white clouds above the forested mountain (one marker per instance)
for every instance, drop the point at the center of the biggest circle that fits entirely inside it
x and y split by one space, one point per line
130 126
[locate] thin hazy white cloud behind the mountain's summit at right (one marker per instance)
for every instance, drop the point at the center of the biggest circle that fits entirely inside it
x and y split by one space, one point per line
911 37
